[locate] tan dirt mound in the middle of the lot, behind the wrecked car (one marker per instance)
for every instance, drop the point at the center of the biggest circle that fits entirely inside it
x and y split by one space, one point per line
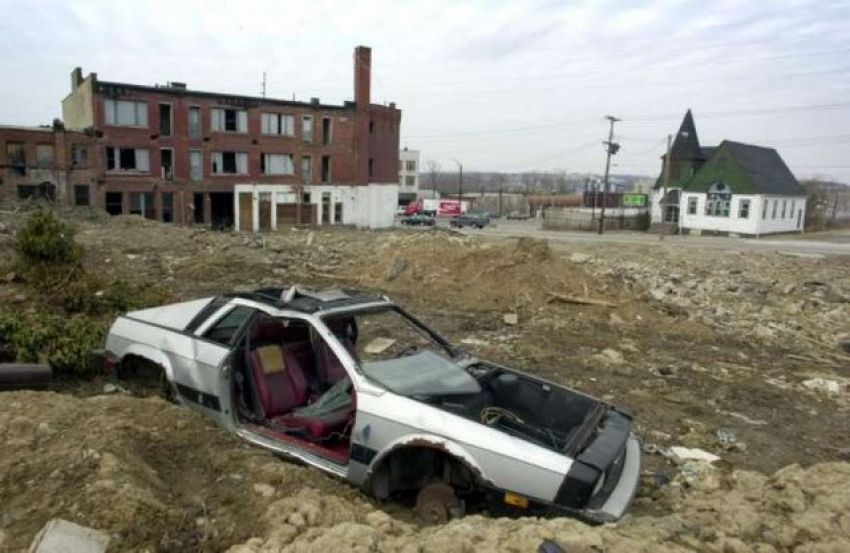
467 274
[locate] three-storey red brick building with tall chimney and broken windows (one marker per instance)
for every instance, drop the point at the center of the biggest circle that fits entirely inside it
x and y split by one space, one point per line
193 157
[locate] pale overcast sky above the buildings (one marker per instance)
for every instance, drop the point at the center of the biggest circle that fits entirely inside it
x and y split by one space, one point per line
506 86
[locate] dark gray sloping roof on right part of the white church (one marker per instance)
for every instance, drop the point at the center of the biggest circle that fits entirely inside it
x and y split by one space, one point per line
768 173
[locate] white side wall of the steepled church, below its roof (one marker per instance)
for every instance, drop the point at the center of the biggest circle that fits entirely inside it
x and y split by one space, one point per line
754 224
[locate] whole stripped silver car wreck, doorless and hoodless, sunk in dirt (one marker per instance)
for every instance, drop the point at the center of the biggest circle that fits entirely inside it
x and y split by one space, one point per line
352 384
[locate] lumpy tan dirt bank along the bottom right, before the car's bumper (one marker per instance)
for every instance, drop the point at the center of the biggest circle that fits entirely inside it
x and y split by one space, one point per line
795 509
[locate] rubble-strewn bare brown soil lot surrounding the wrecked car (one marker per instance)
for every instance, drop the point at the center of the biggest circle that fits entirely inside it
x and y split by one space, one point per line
699 345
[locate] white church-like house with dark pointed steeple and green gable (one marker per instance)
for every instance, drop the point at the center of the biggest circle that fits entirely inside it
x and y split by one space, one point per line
733 189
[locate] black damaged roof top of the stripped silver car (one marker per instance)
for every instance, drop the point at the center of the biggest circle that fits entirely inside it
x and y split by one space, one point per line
310 301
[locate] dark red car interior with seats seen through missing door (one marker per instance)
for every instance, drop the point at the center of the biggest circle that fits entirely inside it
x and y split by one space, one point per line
290 385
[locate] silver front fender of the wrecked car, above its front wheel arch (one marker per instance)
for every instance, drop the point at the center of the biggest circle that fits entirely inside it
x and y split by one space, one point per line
387 421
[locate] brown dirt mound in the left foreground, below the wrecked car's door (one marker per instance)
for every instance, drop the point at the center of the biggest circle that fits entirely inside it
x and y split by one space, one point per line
155 476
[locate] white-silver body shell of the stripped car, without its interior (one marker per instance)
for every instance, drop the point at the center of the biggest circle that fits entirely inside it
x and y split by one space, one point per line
503 465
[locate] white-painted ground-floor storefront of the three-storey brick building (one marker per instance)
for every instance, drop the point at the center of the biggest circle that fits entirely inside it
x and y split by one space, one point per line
371 206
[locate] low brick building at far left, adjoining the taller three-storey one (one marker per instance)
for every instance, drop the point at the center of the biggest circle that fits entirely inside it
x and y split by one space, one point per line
47 162
